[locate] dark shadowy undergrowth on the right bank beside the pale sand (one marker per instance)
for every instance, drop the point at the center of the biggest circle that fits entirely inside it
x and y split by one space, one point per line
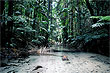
96 40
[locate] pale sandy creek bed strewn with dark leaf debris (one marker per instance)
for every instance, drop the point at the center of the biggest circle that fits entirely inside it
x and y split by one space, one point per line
79 62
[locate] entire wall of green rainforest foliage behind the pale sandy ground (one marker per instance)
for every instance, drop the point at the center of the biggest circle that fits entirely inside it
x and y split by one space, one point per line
68 20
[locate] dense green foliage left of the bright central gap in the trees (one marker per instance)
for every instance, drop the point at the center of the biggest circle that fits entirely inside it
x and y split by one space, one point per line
30 22
